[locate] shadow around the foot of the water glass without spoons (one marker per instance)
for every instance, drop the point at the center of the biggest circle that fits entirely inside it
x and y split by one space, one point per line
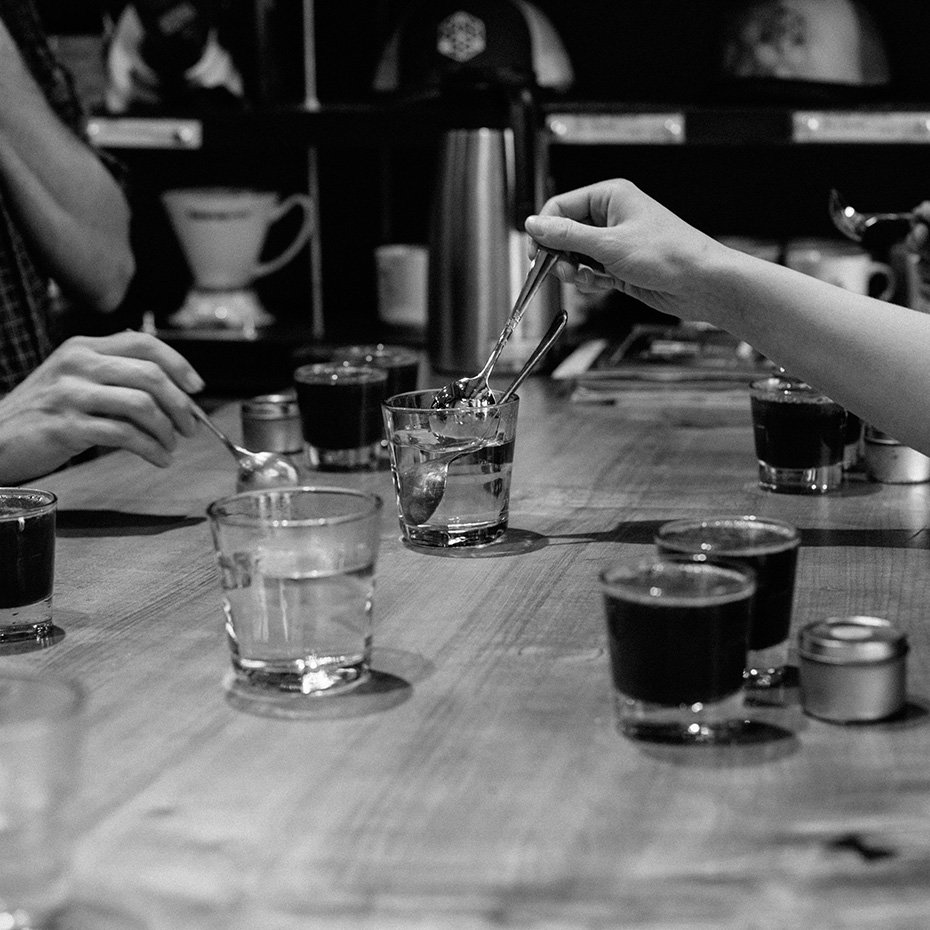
390 684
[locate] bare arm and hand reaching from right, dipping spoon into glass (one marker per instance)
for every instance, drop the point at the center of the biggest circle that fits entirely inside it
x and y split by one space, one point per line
870 356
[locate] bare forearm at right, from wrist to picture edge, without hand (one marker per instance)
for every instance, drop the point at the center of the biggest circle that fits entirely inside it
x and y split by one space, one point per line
871 356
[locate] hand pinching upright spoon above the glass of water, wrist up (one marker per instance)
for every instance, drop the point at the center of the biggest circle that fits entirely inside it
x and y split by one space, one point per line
643 248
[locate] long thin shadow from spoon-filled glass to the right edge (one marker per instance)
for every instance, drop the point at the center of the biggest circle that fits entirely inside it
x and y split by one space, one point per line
642 532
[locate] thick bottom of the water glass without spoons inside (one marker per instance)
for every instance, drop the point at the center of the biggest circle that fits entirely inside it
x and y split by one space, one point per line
326 676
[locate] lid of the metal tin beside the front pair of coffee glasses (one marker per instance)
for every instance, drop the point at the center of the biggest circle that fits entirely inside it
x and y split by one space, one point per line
847 640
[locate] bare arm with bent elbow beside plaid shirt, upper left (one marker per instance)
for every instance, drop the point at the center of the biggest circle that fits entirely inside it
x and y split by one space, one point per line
70 208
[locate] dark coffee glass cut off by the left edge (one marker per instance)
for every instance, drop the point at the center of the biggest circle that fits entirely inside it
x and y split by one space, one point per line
27 562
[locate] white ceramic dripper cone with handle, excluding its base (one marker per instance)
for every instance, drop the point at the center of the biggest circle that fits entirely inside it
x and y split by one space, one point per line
222 231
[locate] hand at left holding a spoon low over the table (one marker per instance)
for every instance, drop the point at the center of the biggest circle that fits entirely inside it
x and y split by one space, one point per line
126 391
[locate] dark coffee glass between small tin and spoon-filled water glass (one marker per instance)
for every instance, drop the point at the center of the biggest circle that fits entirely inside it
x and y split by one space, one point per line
340 413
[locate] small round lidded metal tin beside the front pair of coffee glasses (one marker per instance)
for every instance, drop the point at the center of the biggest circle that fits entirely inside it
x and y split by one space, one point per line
852 669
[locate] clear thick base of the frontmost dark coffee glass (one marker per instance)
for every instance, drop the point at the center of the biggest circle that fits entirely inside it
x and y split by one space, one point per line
711 723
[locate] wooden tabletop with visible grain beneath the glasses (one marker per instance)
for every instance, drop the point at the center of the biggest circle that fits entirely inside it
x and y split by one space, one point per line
481 782
